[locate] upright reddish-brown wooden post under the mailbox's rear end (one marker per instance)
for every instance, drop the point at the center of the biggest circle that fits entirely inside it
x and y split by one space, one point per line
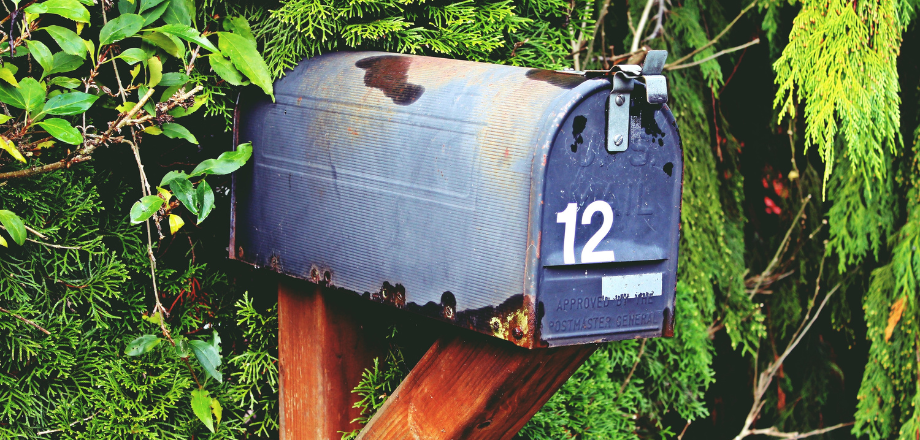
325 341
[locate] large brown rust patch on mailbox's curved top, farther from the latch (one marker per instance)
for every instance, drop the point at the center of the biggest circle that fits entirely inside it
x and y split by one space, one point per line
389 73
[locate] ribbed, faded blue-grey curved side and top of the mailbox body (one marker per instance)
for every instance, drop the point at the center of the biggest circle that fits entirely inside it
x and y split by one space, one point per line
400 169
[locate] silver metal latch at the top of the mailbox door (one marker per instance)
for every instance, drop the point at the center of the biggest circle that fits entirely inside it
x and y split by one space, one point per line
624 78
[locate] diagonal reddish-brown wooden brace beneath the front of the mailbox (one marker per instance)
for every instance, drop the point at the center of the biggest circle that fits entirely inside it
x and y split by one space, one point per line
471 386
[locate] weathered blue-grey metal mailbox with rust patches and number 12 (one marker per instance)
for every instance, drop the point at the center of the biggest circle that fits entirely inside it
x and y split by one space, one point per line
502 199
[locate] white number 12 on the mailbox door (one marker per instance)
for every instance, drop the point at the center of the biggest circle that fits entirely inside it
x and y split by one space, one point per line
588 254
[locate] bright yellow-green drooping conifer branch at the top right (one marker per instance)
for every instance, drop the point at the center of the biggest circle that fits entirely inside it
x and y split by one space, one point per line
842 61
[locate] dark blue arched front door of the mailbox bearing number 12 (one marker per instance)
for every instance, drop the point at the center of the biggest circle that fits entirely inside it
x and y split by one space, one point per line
610 227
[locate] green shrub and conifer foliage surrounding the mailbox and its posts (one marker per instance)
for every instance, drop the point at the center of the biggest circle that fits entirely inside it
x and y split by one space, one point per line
799 264
